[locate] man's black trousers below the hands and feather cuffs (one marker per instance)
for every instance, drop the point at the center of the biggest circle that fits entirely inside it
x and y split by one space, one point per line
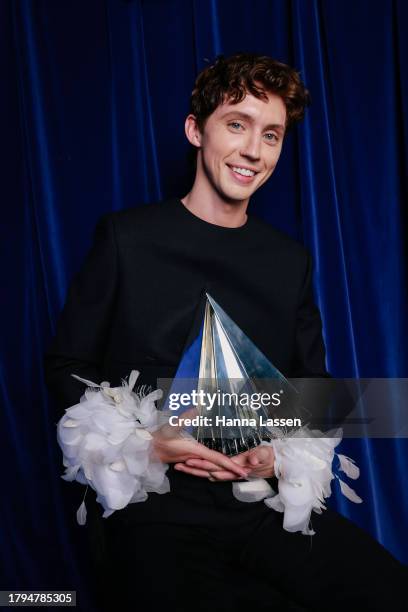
198 548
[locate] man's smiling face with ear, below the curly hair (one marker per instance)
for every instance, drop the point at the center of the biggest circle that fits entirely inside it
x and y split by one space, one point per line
239 147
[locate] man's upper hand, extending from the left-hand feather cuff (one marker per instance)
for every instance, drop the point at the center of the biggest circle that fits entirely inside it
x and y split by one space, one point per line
171 447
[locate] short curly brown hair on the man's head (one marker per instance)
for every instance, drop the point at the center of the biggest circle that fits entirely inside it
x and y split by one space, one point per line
231 78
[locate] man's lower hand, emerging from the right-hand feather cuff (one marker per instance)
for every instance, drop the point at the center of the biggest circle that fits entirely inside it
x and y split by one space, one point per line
258 461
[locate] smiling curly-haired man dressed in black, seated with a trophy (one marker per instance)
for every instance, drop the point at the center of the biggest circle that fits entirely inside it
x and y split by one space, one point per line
133 305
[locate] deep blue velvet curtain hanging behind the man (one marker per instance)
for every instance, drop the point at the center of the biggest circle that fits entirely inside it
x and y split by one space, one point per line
92 119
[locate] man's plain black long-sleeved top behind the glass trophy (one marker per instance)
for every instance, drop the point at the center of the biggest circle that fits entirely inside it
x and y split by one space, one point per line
133 303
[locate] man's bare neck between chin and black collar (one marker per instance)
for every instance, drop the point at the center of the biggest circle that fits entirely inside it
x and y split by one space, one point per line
212 208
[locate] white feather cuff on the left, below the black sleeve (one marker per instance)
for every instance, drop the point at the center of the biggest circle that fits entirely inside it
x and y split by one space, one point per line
106 443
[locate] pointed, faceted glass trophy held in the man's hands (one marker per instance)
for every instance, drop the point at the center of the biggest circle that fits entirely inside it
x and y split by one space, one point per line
233 397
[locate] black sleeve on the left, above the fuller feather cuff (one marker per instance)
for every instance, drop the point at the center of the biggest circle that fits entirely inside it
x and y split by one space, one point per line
84 325
